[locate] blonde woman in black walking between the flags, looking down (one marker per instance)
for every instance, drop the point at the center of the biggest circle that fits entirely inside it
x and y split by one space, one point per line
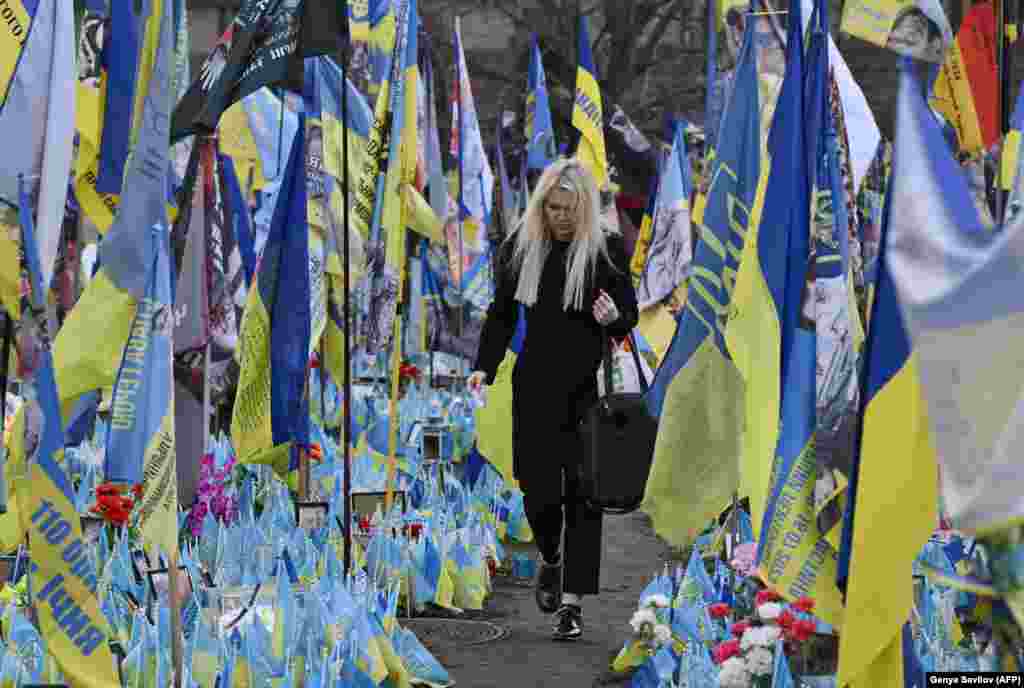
573 284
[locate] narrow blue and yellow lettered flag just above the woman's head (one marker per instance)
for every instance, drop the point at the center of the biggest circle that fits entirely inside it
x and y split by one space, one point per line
588 115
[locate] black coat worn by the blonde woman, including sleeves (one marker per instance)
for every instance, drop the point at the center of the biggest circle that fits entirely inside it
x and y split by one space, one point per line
556 378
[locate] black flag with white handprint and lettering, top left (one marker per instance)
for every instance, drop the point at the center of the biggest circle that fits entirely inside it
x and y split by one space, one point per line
265 47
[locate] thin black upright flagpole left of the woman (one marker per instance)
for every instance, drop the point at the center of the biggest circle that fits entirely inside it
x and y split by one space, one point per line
347 422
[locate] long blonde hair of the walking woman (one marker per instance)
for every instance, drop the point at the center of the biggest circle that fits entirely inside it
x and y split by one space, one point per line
533 238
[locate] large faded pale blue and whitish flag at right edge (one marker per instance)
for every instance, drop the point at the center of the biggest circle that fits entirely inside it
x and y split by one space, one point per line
958 288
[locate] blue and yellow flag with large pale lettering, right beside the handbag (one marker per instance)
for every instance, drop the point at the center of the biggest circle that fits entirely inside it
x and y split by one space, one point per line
698 392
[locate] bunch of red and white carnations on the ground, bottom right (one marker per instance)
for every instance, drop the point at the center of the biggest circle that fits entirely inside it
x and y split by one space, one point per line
748 660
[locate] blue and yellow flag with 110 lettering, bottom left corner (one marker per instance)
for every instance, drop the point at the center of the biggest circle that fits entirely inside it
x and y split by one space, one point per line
64 579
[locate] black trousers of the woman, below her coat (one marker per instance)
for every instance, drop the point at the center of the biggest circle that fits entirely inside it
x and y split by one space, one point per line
550 486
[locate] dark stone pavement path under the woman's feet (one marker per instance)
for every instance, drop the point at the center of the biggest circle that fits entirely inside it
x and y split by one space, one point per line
527 657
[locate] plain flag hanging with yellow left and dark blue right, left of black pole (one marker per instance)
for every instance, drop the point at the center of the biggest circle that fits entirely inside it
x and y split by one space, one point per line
271 419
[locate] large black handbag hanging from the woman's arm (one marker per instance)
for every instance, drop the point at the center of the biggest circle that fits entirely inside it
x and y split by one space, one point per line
619 436
